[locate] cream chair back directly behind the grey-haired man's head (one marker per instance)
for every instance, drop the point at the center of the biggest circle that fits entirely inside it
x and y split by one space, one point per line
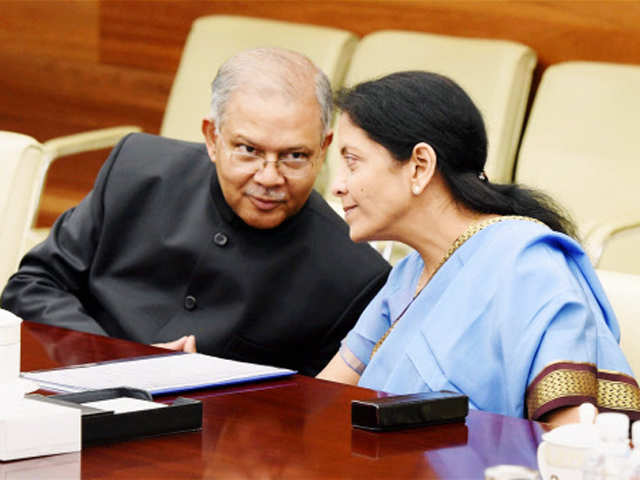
213 39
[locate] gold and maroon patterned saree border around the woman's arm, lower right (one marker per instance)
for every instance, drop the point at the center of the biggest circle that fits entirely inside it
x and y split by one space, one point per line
564 383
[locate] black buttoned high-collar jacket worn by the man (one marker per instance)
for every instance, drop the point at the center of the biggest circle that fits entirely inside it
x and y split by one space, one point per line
154 252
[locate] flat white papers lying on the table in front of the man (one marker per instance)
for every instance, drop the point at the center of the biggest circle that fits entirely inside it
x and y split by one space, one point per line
165 373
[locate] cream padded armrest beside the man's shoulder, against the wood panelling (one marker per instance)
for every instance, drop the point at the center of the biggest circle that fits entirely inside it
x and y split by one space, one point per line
86 141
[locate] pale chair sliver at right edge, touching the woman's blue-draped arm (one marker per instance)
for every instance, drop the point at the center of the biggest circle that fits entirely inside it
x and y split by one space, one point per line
623 290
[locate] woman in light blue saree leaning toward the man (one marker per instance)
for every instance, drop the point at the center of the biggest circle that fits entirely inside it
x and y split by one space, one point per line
498 301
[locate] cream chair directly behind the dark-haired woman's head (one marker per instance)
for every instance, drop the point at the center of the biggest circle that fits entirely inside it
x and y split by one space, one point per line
495 73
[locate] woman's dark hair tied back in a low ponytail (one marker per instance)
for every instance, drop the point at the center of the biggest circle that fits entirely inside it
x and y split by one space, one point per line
403 109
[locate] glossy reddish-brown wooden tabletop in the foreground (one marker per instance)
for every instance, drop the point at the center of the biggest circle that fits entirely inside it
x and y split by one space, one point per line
297 427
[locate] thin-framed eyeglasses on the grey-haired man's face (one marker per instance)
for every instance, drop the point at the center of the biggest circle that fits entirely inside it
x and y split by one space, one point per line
248 159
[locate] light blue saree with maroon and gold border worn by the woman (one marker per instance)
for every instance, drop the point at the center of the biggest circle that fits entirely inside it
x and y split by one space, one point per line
516 319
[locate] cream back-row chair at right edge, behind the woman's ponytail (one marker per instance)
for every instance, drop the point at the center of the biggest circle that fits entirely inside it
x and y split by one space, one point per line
581 146
